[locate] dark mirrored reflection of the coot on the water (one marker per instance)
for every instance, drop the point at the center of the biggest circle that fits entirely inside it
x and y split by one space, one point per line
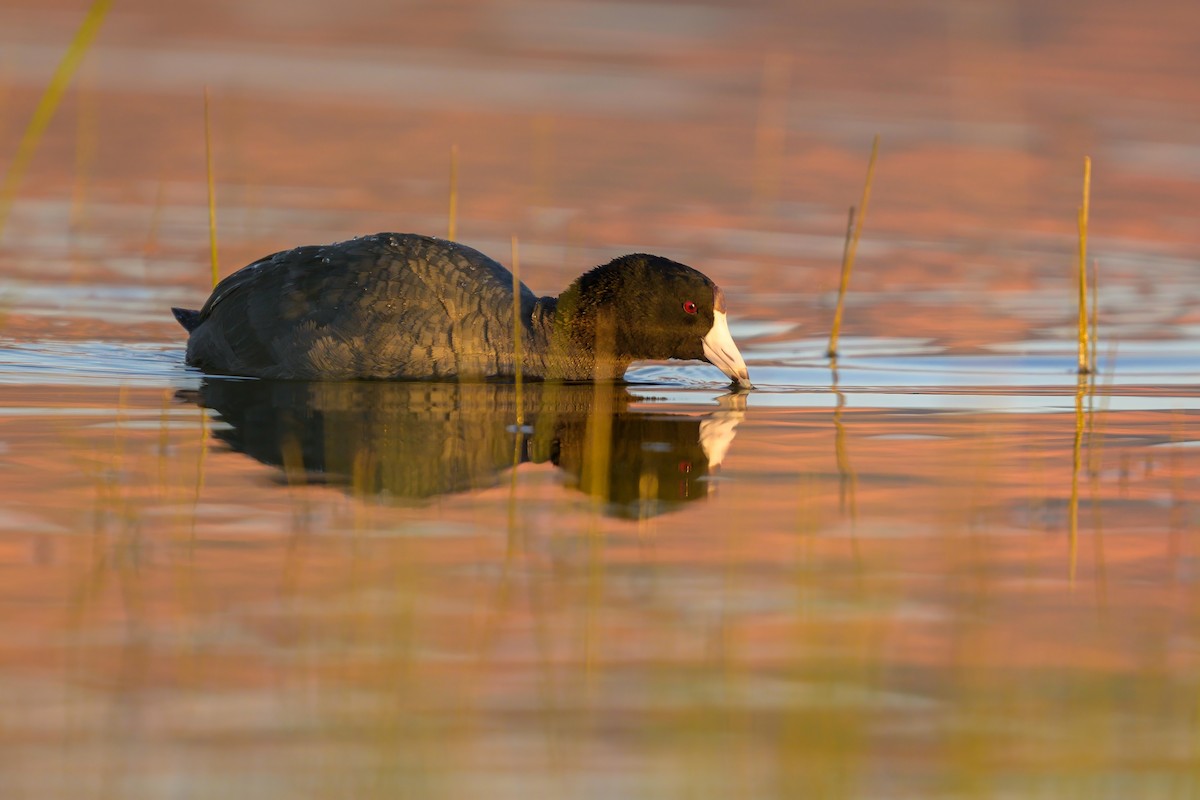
416 441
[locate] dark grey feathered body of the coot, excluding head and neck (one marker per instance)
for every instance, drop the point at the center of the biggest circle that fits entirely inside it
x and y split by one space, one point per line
381 306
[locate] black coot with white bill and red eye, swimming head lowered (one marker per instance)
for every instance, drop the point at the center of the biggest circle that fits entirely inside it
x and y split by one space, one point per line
409 306
